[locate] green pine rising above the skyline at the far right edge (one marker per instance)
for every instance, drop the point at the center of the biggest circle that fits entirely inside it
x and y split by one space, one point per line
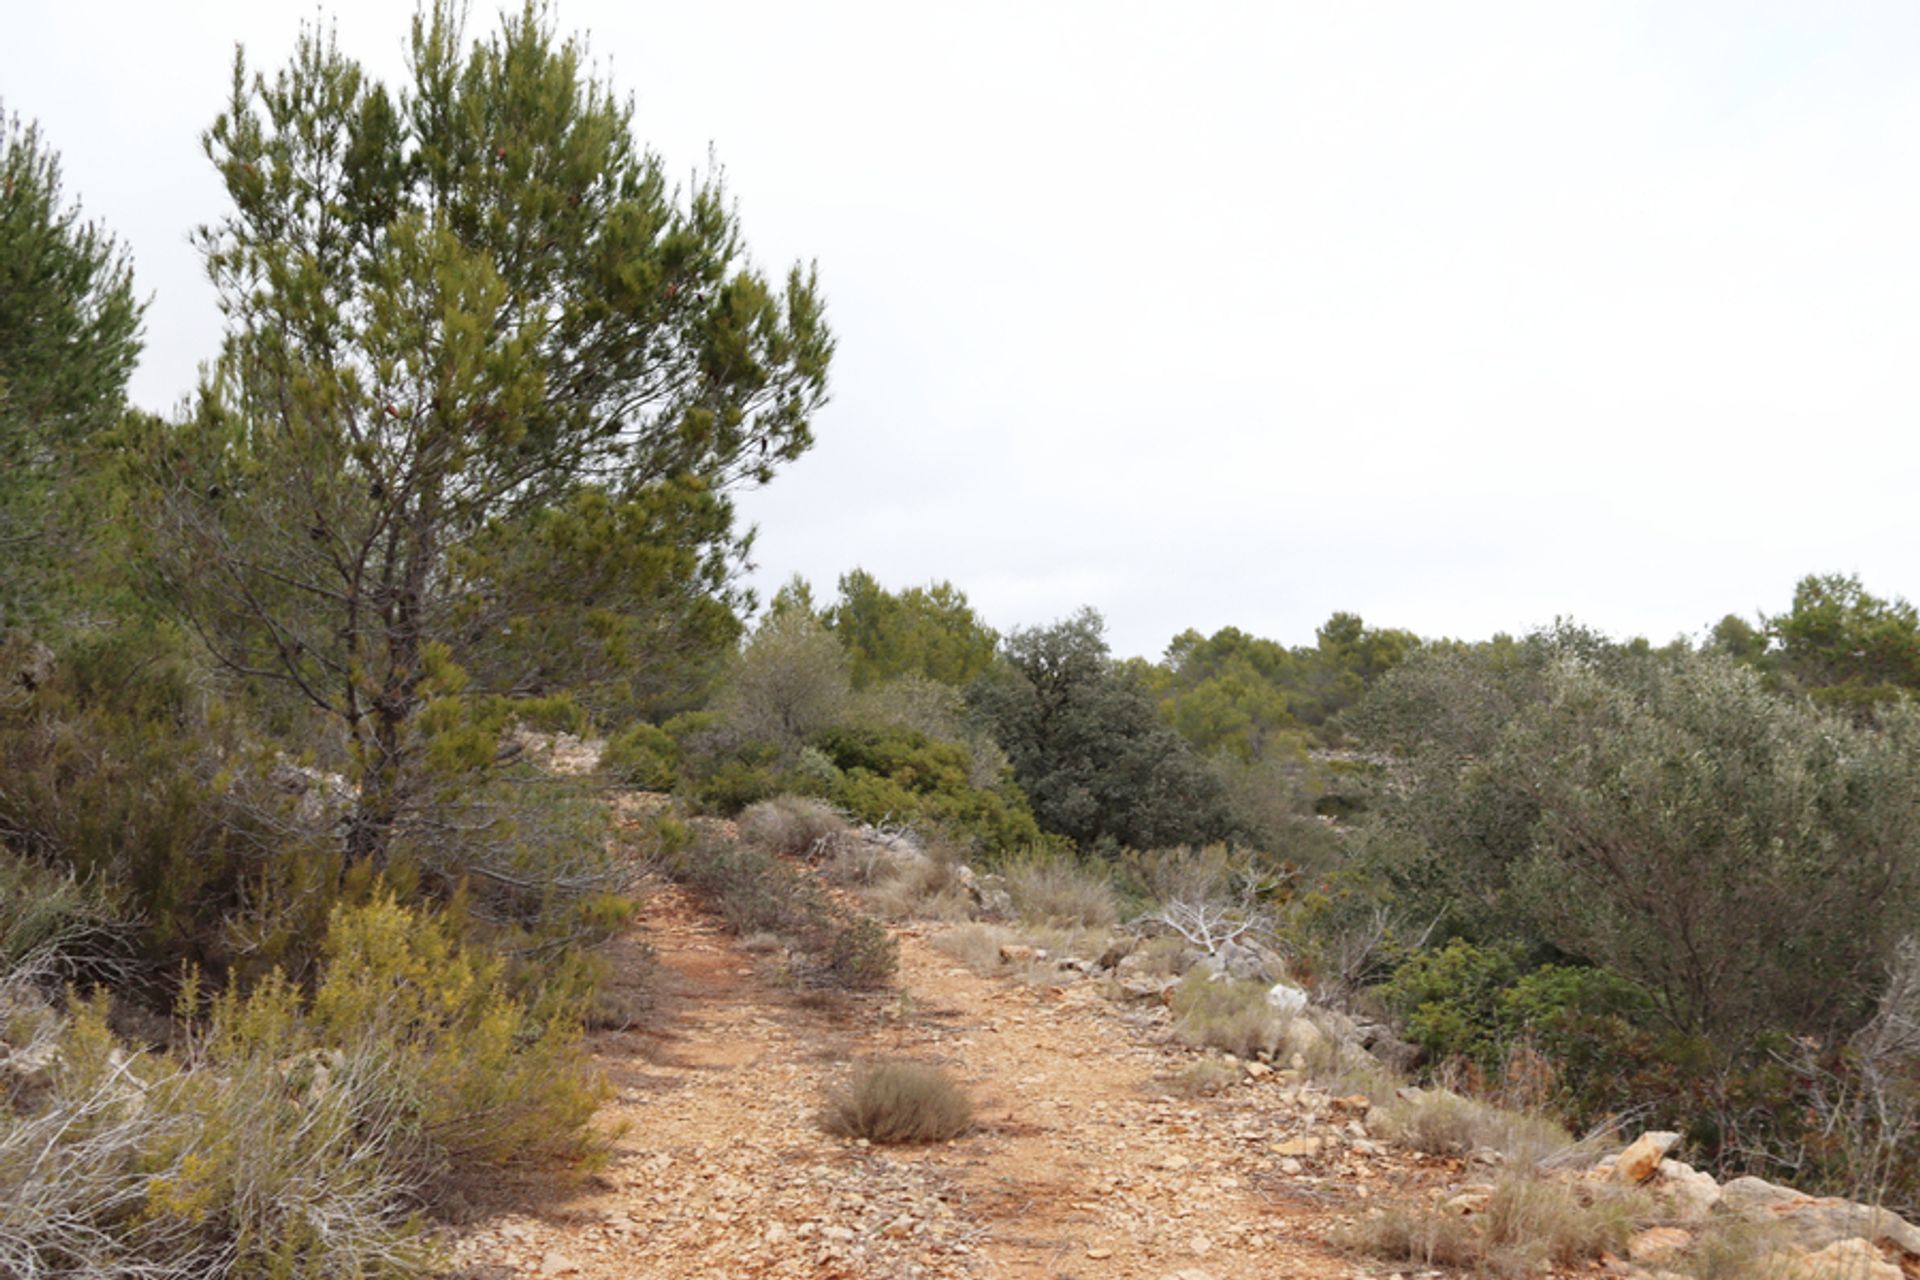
1844 646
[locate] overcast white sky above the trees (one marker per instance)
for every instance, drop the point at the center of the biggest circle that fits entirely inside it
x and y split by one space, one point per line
1454 316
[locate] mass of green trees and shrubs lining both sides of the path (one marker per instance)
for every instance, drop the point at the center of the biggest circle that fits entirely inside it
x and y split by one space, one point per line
297 924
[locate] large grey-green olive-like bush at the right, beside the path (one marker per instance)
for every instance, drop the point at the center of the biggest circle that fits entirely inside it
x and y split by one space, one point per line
1750 861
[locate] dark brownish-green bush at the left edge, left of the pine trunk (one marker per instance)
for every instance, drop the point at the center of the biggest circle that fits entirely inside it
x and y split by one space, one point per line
120 776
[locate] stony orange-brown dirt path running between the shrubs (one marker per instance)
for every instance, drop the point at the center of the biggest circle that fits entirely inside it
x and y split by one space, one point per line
1078 1168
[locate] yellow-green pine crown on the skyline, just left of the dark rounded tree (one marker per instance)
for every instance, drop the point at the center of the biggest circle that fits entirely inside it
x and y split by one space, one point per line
926 632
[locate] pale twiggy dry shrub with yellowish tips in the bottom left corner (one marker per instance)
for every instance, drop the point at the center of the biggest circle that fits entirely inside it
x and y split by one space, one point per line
237 1160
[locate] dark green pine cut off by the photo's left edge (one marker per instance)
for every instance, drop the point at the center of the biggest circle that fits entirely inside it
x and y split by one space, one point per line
70 337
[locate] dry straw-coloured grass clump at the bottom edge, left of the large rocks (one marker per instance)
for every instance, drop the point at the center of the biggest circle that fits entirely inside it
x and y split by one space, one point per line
1529 1225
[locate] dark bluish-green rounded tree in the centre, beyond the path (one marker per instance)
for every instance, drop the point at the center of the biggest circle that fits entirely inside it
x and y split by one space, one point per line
1090 747
